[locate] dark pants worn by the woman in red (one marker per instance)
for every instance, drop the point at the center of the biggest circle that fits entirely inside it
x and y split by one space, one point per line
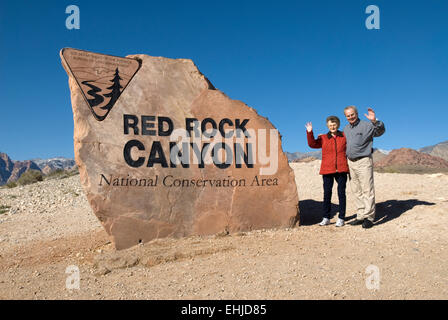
341 179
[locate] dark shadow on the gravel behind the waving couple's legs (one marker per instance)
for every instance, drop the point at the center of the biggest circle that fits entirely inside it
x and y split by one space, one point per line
311 210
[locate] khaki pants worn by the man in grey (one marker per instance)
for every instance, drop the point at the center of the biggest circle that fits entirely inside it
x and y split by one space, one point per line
361 184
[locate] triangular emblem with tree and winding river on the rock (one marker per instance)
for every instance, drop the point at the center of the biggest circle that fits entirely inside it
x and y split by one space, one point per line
101 78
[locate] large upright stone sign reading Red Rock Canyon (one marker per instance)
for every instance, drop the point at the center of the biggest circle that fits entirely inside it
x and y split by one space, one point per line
162 153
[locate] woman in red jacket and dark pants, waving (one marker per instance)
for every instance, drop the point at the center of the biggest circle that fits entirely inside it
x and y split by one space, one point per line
334 165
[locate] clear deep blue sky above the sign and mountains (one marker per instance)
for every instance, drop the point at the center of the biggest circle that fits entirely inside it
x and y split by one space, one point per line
293 61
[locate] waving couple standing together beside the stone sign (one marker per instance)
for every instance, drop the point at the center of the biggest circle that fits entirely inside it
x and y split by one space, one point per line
348 154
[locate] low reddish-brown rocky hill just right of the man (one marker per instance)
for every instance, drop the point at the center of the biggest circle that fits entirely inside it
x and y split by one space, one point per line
410 157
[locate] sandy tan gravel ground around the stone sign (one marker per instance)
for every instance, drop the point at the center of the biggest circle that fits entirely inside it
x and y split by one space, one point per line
49 227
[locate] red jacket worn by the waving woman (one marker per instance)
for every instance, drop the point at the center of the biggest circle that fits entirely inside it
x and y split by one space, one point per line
334 158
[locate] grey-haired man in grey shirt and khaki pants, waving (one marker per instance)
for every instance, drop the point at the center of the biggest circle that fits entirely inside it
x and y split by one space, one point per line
359 135
